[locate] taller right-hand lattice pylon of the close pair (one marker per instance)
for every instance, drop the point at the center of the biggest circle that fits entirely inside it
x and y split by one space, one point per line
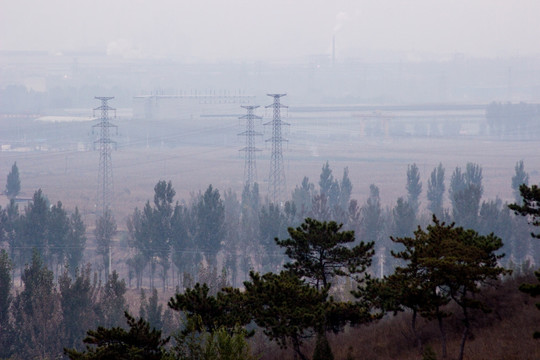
276 178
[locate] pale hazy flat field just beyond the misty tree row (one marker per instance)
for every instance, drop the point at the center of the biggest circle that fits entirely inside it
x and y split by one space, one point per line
71 176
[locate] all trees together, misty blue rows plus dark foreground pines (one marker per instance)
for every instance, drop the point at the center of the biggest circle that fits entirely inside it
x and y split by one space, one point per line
303 277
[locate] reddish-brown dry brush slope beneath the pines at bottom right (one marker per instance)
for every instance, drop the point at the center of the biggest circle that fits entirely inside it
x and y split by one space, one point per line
503 334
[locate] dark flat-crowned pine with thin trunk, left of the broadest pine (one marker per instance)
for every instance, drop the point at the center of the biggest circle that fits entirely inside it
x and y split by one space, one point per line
321 252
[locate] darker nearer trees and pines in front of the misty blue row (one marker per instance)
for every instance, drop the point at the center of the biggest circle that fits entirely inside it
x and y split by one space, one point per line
443 268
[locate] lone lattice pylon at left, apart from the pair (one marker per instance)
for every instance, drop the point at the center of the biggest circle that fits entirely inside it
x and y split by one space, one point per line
105 193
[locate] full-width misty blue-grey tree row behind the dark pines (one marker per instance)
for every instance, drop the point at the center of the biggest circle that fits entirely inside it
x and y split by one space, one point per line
181 242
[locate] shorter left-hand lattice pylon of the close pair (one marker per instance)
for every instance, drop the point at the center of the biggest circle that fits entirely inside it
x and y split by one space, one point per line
250 166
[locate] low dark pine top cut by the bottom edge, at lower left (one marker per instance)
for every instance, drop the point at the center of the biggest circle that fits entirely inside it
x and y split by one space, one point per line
140 342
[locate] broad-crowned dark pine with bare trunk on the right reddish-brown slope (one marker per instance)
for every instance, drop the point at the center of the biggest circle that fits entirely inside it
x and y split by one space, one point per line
452 263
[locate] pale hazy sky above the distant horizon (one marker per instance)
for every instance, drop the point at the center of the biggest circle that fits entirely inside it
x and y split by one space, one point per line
215 30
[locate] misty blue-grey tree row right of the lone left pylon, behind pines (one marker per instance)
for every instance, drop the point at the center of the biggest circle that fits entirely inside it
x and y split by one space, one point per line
237 234
